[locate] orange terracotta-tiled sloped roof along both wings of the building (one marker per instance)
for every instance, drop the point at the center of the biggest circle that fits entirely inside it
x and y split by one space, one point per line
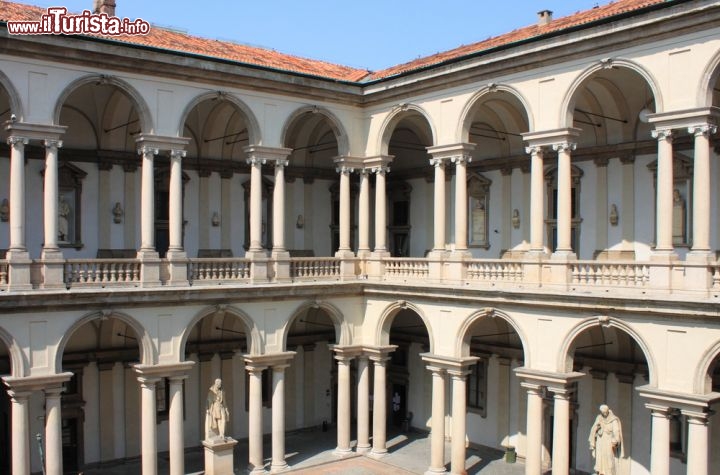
174 41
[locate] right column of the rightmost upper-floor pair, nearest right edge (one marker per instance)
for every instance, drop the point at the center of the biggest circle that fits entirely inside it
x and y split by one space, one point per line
701 187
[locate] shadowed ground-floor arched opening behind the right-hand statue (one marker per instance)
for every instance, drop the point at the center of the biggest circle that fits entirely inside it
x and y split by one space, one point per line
613 364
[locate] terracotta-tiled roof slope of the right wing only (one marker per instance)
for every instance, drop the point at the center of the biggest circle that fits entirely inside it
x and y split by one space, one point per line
598 13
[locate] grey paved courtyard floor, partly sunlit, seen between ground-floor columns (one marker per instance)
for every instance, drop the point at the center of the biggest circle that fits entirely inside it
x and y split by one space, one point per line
311 453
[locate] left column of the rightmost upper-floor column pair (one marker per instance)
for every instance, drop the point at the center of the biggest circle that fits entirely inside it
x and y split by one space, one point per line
664 191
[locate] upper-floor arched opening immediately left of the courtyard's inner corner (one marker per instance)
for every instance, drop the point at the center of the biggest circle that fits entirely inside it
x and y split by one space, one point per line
315 136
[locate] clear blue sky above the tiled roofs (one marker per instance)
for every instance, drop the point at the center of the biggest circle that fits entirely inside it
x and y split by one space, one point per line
371 34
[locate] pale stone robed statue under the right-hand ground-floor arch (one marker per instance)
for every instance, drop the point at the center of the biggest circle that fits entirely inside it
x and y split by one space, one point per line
606 442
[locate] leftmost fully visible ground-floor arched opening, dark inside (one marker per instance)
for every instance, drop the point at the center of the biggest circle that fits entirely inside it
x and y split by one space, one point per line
101 396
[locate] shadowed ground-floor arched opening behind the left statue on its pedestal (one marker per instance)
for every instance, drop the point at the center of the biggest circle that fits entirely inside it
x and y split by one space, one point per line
217 343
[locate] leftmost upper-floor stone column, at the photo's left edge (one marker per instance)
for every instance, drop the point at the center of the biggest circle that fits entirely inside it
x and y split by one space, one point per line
17 193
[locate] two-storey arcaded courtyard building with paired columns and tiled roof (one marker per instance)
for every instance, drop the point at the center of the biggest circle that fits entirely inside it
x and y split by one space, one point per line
484 245
